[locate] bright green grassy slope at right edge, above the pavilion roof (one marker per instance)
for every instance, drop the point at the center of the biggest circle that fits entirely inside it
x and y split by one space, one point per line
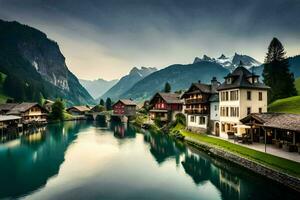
287 105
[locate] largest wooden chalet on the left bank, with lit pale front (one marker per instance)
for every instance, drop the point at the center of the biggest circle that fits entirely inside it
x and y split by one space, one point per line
29 112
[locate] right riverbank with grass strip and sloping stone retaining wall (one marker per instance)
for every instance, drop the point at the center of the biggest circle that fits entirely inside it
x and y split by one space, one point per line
281 170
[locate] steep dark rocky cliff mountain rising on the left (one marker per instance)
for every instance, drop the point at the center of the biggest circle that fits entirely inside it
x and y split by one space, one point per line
35 68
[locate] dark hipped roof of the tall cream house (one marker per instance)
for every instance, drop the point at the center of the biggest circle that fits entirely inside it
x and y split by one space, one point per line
240 80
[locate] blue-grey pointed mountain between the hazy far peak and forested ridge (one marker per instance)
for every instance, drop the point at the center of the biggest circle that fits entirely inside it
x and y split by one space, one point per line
126 82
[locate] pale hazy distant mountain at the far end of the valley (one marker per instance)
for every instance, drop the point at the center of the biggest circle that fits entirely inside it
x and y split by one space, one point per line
98 87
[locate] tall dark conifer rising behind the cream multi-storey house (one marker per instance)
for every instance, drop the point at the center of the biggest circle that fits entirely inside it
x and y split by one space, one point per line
276 72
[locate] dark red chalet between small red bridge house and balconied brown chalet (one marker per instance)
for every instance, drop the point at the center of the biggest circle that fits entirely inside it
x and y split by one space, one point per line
165 106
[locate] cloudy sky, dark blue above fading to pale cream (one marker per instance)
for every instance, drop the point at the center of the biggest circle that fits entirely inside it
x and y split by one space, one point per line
105 39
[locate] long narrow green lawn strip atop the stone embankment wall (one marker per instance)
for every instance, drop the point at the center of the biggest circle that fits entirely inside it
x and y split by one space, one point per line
274 162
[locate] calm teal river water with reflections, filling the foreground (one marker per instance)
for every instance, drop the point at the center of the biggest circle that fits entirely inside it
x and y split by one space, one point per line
90 160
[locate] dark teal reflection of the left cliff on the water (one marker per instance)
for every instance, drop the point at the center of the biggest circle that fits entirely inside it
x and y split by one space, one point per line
33 159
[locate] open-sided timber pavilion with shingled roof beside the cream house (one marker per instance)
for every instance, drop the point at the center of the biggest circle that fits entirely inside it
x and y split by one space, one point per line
279 129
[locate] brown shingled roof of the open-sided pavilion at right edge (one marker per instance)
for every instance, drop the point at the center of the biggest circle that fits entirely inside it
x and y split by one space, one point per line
276 120
